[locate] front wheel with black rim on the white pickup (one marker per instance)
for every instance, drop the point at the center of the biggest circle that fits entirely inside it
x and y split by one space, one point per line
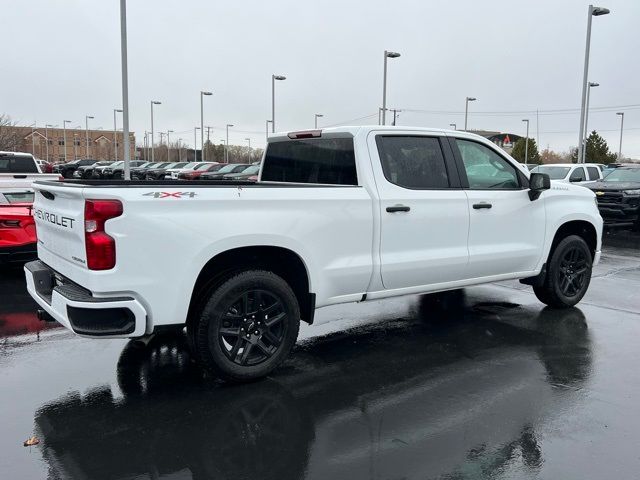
568 274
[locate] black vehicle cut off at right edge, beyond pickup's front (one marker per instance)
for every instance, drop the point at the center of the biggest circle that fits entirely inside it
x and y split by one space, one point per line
618 196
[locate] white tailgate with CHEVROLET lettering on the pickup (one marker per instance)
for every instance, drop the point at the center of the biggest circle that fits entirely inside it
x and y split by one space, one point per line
58 211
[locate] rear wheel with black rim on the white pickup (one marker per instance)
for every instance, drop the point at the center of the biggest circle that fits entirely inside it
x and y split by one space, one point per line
231 338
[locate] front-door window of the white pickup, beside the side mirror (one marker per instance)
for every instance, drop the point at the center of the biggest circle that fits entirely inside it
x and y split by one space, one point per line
485 168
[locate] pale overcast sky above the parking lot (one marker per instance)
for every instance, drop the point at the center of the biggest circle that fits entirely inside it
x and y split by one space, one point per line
61 60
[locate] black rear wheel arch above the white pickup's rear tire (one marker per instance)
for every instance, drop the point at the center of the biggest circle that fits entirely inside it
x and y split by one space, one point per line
280 260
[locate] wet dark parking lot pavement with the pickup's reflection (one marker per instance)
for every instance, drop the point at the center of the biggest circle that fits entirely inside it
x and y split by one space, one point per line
475 384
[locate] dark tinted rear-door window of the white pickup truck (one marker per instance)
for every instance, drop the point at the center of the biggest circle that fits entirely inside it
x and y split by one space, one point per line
413 162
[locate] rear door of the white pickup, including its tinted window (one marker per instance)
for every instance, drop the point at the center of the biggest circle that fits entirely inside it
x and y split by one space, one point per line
424 212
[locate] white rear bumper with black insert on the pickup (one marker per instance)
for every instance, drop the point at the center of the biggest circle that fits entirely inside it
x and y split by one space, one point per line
79 310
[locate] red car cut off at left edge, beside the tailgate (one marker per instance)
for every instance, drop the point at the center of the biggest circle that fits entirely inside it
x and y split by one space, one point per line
17 233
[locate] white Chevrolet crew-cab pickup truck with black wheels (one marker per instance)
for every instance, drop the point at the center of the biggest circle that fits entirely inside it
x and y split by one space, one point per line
339 215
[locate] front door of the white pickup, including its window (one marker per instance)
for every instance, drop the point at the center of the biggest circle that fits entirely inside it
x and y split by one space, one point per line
507 229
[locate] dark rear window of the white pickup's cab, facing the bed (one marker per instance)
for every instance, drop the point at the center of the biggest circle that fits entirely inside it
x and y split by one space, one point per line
313 160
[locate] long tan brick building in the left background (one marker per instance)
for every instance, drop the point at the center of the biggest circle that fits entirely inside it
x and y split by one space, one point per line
100 146
